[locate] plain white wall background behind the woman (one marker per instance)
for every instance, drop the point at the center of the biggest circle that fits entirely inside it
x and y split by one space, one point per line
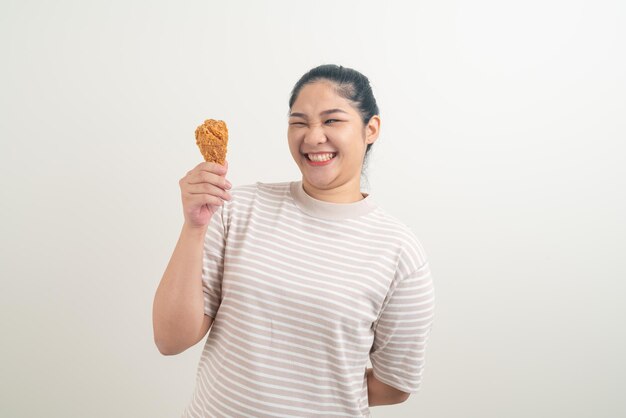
502 147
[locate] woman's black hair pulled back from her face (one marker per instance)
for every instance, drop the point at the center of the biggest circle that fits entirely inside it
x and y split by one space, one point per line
350 84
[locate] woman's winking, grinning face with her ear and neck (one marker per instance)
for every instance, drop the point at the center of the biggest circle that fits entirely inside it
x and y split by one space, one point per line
322 122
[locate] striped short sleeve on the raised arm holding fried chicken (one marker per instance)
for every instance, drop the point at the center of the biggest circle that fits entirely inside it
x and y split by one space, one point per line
213 263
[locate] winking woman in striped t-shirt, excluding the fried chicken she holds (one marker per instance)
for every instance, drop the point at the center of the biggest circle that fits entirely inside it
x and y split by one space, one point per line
301 281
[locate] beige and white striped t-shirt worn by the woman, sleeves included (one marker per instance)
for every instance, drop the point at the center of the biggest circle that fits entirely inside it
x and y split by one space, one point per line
303 293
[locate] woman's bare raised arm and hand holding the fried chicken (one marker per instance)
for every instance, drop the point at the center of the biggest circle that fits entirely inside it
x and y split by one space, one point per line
178 315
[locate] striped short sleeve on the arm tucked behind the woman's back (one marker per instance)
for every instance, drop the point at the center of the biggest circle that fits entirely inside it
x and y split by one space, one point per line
402 330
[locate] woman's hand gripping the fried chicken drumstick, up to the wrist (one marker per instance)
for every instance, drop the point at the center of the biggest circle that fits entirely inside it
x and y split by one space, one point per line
203 189
